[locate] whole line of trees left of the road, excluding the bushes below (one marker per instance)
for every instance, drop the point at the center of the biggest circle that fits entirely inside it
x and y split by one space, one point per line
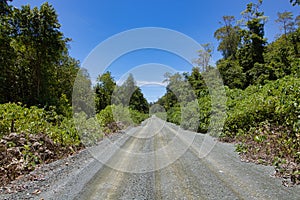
36 68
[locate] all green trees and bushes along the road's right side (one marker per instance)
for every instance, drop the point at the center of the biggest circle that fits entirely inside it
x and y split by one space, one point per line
262 82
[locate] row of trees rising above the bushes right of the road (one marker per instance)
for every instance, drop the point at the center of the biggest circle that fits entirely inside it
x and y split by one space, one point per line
248 59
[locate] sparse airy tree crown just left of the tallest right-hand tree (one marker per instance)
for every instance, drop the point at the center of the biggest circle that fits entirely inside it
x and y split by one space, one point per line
229 37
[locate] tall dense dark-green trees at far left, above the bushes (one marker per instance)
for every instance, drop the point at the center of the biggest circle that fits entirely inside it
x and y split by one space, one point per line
35 67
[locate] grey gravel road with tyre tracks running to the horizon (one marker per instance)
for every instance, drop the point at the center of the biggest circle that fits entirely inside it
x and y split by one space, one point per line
156 160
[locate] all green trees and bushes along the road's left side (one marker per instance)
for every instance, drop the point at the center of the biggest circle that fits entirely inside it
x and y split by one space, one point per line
37 78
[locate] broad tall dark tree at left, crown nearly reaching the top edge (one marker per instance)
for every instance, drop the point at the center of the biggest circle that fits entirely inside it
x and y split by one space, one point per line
39 45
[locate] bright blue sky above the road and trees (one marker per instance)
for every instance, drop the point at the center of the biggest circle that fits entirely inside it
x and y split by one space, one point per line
91 22
